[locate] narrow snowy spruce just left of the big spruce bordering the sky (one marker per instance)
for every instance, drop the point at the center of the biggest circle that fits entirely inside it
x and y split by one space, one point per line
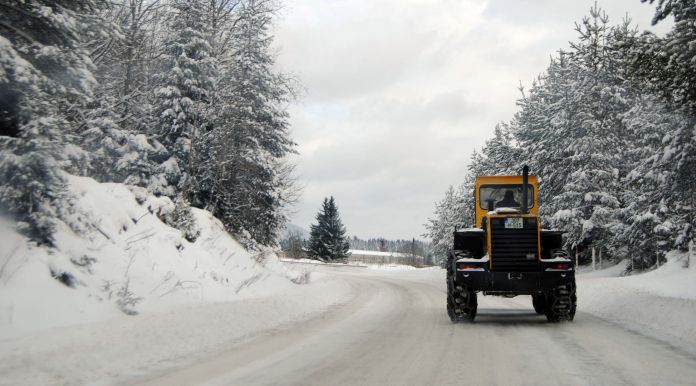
182 95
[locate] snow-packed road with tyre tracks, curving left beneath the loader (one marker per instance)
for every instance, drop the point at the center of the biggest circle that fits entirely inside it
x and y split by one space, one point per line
396 331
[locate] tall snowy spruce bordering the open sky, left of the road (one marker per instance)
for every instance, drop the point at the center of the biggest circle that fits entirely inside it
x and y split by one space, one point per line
245 180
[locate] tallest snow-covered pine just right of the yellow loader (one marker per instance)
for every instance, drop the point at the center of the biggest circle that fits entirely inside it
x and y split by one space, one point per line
589 201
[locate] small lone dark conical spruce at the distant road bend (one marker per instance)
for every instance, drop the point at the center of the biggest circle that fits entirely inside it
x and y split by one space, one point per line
327 240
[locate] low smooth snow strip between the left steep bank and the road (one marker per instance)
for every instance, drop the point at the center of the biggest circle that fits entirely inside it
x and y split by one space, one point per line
109 351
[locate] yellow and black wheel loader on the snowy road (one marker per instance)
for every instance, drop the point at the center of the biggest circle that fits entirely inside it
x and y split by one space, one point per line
506 253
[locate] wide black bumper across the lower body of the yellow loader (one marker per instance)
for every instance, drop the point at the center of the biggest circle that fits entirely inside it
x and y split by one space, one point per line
513 283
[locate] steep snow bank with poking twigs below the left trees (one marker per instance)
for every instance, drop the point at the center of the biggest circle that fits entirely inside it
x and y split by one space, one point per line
125 261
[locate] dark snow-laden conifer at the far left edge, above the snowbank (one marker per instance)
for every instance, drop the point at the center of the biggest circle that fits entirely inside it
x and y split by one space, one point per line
43 71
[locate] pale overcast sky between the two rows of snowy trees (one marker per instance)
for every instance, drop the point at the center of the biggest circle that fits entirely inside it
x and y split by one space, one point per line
400 92
